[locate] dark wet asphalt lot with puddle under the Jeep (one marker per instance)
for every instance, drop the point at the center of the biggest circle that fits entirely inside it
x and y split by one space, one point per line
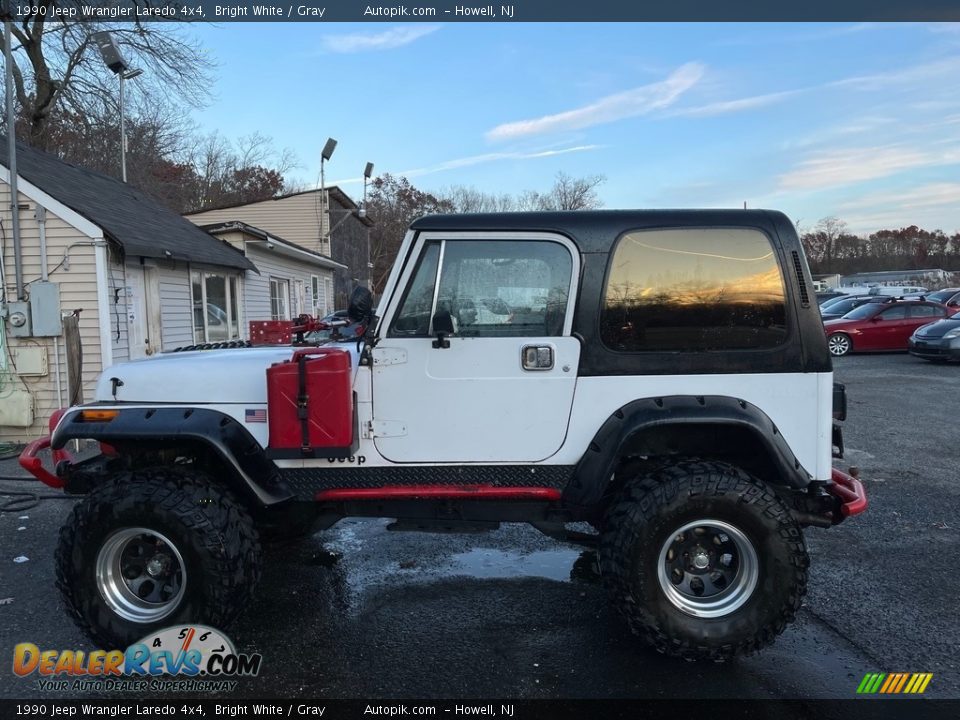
360 612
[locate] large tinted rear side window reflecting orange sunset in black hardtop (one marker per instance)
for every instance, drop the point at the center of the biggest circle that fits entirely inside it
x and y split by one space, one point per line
693 289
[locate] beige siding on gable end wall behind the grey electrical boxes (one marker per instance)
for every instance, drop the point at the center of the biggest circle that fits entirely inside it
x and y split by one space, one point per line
77 279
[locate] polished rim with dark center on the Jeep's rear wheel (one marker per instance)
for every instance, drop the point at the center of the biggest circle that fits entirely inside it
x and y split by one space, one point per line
708 568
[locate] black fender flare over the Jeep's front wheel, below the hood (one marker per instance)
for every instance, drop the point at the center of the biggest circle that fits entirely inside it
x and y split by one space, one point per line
165 426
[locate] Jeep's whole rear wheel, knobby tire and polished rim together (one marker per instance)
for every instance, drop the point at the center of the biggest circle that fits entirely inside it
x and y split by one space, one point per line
703 561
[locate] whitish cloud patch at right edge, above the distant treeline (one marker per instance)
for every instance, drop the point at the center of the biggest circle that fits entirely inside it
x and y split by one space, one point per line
831 168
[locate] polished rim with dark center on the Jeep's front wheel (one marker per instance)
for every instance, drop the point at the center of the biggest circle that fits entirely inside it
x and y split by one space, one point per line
140 574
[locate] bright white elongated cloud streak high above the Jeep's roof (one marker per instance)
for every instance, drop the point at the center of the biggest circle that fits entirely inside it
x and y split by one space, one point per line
631 103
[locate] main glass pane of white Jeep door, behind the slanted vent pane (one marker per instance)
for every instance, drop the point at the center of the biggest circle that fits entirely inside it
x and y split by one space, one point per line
494 288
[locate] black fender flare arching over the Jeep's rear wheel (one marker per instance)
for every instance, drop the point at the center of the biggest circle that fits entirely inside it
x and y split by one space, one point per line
596 467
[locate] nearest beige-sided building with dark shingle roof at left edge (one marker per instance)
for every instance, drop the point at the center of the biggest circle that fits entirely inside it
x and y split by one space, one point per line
99 251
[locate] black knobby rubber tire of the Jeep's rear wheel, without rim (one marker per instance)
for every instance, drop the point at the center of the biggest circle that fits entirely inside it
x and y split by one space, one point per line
650 508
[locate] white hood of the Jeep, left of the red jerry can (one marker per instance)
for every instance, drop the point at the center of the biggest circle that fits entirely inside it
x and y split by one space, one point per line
195 378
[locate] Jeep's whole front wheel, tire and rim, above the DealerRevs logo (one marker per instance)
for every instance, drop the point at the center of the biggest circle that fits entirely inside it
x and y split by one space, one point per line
155 548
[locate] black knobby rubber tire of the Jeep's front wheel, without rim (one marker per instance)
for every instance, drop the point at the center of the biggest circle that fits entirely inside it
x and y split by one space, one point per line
209 527
